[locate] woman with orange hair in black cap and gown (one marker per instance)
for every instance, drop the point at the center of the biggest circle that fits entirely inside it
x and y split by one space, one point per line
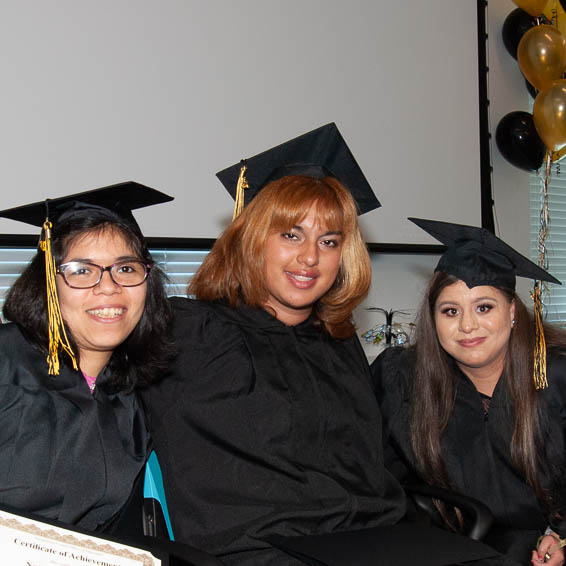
267 425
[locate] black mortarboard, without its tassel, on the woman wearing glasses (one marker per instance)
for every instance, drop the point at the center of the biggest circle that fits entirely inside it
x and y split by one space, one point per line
121 198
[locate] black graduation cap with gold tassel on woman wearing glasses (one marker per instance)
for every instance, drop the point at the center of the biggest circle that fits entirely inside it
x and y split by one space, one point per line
121 198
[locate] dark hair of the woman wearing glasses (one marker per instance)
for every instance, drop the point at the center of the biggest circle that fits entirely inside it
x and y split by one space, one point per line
145 354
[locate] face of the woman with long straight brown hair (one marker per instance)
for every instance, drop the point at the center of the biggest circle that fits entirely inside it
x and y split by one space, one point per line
474 326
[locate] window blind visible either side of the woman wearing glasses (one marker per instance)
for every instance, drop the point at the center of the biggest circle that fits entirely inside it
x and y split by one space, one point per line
179 265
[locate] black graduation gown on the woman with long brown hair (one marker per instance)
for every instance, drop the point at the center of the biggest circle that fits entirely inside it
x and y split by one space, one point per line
476 446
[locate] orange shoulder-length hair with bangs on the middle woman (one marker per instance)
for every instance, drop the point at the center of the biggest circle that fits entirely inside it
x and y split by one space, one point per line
234 268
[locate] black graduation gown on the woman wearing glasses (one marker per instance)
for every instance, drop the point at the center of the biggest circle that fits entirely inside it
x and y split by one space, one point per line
64 454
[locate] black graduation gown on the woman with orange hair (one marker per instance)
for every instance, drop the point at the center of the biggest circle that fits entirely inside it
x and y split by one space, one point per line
266 429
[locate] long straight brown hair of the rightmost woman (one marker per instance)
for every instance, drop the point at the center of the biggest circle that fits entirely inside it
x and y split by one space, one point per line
432 400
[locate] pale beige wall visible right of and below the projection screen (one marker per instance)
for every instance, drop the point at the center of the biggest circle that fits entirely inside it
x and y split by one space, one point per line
399 280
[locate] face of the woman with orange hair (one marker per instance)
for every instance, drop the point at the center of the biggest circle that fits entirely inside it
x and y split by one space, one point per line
301 264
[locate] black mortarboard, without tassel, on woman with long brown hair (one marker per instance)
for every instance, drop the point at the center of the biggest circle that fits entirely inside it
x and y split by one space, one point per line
478 257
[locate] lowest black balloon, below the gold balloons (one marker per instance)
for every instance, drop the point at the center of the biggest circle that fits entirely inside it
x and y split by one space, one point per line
518 141
